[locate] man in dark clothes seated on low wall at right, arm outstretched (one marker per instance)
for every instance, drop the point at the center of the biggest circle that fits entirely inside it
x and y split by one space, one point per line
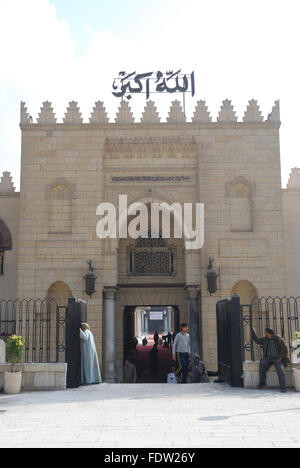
275 353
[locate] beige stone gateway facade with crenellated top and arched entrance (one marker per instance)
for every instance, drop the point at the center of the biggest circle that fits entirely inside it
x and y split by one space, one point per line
69 168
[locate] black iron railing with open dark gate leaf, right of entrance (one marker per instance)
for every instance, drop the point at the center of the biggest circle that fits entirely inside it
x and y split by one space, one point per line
234 324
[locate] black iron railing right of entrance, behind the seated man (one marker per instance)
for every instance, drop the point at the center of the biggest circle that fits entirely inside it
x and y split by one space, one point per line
280 313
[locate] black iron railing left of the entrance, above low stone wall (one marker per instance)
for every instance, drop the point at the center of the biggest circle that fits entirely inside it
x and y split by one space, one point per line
40 322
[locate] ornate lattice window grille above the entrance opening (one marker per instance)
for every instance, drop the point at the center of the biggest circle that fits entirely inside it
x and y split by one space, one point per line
152 257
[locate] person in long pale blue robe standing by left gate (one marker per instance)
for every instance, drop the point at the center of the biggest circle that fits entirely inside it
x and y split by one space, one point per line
90 369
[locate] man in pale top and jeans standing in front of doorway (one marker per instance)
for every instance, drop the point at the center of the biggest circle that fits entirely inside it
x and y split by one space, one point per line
182 351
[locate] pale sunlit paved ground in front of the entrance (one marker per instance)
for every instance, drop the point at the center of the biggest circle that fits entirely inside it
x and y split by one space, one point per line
129 416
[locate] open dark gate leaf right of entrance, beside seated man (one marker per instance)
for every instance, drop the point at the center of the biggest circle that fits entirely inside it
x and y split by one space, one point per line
229 337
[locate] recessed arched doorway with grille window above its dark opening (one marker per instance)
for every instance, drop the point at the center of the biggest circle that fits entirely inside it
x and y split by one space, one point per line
151 279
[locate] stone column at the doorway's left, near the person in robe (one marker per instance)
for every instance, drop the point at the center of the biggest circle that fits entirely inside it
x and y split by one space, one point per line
110 334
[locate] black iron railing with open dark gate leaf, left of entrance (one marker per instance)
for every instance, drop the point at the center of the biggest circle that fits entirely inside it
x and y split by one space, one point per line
51 331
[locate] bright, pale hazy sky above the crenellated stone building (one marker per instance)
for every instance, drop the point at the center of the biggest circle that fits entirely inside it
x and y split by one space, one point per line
63 50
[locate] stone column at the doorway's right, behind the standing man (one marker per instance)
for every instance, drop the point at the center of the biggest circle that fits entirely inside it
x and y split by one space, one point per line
194 318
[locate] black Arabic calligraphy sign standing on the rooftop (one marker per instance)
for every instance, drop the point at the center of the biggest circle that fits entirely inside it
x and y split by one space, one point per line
147 83
